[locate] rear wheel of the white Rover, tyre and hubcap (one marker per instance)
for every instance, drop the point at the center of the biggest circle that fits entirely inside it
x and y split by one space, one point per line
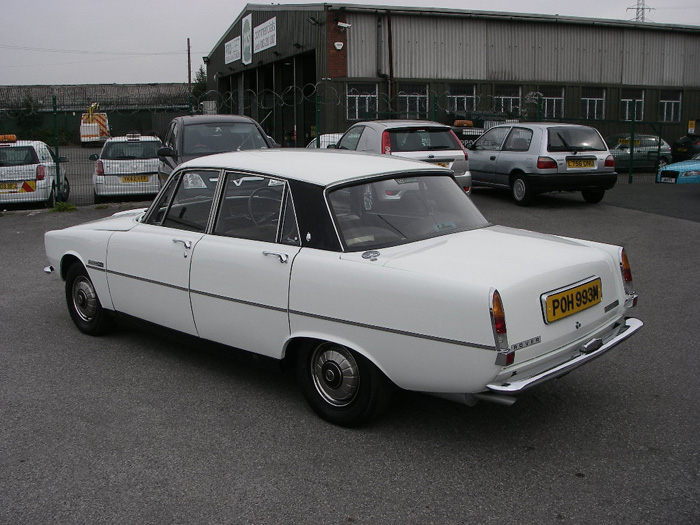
341 386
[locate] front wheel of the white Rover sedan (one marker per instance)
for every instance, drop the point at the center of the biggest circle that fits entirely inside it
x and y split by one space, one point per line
83 304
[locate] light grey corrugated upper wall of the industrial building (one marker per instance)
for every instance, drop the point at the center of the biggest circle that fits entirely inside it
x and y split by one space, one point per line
434 47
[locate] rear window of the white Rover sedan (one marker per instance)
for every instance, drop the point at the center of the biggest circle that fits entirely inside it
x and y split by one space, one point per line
403 209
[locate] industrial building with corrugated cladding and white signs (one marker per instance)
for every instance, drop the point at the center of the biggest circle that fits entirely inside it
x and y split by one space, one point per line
317 68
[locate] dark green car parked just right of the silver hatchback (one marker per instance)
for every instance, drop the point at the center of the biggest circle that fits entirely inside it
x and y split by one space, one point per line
649 153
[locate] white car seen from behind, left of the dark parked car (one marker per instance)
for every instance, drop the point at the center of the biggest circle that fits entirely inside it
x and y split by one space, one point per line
127 166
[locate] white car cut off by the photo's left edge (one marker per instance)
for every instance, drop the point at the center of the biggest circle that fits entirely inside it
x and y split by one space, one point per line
28 172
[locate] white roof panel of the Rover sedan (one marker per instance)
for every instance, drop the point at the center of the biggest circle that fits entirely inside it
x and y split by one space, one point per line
322 167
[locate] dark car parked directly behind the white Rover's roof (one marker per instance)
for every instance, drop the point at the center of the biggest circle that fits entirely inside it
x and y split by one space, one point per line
194 136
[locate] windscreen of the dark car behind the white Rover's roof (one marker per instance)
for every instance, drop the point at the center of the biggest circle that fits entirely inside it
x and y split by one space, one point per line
219 137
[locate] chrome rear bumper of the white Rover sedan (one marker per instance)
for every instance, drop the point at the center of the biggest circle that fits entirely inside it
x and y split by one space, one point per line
618 334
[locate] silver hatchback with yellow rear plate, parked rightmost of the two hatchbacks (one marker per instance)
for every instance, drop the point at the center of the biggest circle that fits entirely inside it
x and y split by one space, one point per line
532 158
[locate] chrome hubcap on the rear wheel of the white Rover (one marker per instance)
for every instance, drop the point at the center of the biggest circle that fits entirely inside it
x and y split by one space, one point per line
335 374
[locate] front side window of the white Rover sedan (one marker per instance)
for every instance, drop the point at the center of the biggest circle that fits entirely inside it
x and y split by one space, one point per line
186 202
